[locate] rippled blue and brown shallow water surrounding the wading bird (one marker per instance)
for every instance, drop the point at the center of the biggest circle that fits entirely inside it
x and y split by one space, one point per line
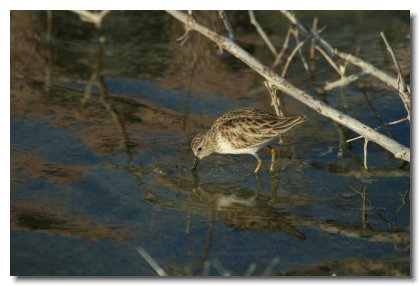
100 156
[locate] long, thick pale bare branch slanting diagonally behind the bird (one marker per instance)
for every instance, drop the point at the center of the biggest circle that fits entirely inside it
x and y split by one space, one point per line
370 134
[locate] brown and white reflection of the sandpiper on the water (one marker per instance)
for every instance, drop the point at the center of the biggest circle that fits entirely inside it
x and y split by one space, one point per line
240 209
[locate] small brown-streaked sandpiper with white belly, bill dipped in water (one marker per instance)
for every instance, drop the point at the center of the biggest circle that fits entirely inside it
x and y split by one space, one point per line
243 131
